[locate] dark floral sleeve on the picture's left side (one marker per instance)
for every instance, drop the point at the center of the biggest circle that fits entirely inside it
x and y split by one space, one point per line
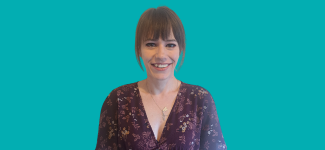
107 133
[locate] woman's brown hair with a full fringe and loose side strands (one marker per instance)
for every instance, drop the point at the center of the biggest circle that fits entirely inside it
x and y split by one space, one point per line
155 23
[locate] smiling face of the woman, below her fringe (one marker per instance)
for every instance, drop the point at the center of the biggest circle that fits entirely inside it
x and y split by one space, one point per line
160 57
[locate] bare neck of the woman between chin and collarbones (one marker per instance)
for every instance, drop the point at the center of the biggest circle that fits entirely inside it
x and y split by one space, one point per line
162 87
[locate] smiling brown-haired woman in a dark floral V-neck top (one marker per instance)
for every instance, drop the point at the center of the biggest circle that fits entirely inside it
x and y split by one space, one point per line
159 112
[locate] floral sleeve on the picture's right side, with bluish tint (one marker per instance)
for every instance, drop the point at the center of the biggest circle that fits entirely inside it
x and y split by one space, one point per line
211 137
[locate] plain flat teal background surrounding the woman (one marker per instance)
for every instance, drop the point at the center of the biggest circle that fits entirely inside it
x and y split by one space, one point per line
262 61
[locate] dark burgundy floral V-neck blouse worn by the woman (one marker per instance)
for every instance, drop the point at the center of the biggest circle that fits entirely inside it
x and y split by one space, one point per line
192 124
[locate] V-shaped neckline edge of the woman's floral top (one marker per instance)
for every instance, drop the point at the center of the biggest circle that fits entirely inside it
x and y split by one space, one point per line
168 118
